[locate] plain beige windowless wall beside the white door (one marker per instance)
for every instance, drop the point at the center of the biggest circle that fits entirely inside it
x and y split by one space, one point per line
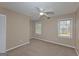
18 28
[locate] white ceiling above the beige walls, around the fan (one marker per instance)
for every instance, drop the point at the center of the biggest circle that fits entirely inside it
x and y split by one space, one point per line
28 8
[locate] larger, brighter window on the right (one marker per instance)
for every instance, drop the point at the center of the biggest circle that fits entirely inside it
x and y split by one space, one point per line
65 28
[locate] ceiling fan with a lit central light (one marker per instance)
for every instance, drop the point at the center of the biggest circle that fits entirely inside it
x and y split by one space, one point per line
43 12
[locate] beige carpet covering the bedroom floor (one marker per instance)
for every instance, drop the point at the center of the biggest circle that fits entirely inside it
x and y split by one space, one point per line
41 48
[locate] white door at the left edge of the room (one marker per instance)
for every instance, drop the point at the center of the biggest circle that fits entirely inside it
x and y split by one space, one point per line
2 33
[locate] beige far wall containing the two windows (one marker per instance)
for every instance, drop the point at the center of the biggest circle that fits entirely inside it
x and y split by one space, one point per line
50 28
